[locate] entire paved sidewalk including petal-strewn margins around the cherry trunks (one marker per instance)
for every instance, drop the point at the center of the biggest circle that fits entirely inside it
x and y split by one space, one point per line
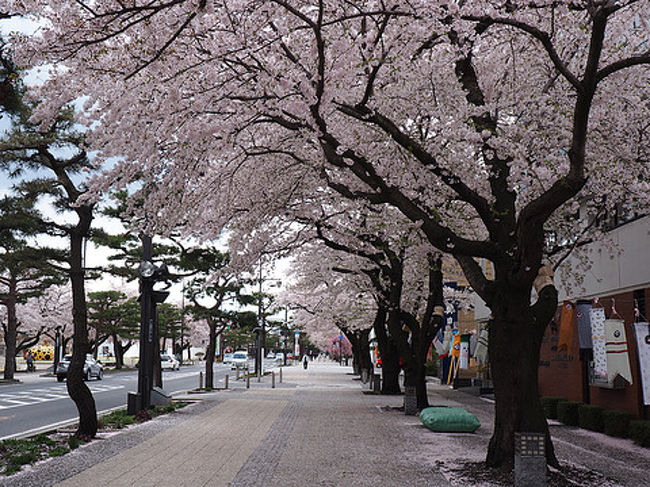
319 427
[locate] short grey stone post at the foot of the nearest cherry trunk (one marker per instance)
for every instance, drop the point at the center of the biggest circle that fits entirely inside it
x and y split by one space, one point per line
530 460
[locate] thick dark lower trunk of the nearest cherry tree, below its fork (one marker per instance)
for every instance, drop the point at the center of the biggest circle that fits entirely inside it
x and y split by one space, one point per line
515 336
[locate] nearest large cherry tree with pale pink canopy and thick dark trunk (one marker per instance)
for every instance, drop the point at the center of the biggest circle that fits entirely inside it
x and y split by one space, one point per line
486 123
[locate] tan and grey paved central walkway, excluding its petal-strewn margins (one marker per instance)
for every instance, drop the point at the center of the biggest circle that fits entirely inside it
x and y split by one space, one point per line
317 428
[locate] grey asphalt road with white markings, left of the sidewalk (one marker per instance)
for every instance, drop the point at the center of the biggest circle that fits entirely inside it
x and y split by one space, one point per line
41 403
